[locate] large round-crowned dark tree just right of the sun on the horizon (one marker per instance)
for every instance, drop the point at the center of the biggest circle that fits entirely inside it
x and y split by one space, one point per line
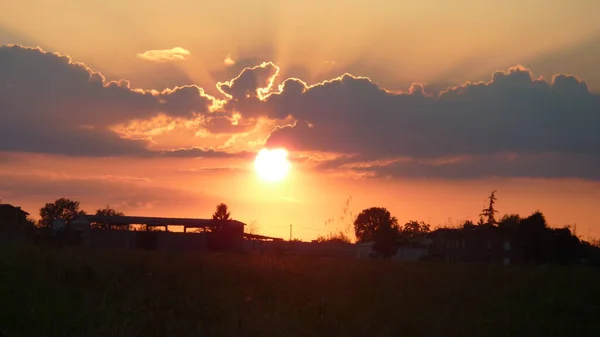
378 225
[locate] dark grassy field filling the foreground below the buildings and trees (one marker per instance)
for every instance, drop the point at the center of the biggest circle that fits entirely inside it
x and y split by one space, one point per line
46 292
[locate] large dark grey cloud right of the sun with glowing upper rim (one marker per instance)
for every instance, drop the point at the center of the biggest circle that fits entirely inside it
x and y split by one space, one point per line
513 112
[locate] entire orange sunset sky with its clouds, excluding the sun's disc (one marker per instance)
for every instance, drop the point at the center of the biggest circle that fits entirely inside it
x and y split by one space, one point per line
159 108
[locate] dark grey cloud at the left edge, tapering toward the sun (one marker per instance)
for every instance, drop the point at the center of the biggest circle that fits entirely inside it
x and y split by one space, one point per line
50 104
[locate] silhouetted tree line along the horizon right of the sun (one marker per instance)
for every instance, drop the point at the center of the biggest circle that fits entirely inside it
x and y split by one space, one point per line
536 240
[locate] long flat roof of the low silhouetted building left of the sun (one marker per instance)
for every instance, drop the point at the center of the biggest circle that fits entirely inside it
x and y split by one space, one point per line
150 221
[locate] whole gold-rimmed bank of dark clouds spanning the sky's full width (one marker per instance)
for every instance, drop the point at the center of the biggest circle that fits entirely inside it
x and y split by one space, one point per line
512 125
